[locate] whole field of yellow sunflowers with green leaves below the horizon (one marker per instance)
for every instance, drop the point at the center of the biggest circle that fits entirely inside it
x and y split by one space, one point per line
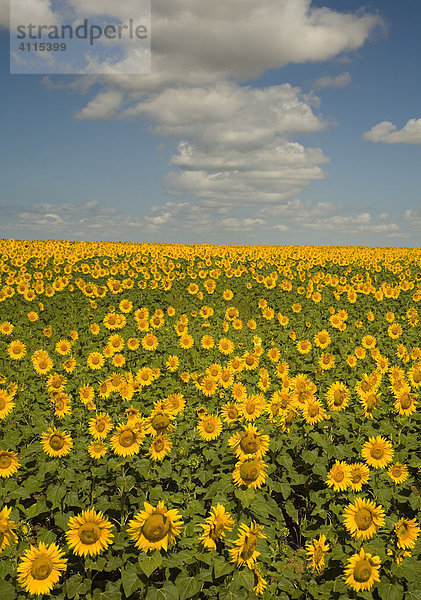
209 422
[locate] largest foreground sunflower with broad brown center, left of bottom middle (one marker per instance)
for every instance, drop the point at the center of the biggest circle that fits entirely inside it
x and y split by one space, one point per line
155 527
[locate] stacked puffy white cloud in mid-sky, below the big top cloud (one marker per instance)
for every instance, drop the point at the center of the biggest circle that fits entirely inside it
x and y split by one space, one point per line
235 148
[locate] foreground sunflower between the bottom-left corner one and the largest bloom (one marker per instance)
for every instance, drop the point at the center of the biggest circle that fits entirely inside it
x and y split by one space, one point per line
89 533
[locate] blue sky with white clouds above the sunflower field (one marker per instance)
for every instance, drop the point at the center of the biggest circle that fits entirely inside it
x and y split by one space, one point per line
271 122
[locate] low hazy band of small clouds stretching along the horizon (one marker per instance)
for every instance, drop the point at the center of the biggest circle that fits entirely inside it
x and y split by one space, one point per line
187 222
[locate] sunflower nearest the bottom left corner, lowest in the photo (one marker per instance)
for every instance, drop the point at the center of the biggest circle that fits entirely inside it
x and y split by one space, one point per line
40 568
